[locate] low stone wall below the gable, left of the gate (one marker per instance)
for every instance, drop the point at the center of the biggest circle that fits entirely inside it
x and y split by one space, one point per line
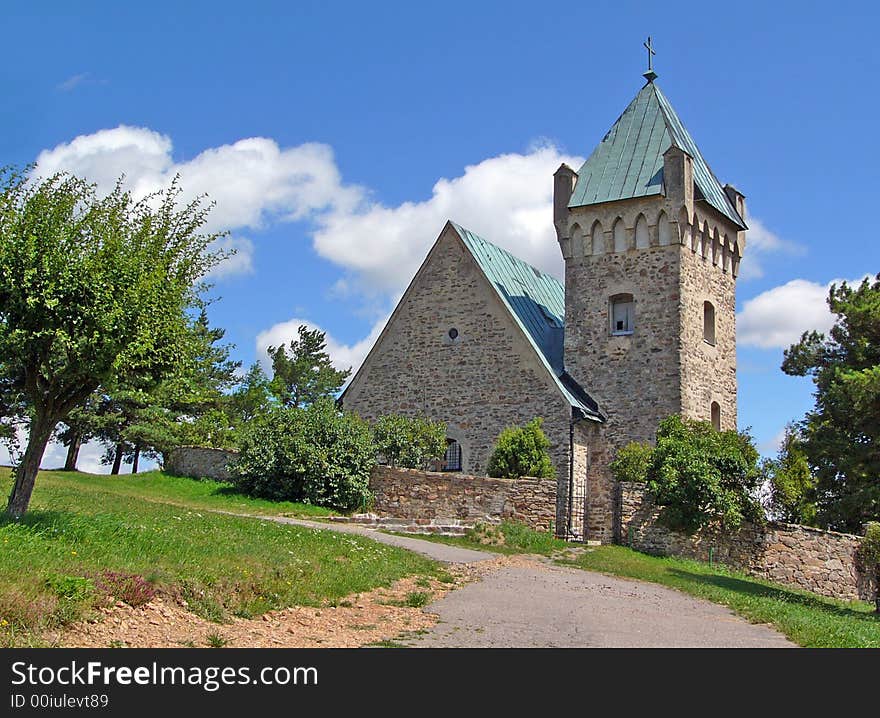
411 494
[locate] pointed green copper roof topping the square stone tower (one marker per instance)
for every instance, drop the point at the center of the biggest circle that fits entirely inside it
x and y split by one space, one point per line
629 161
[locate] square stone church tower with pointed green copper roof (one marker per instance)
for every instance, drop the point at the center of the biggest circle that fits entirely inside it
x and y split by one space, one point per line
652 245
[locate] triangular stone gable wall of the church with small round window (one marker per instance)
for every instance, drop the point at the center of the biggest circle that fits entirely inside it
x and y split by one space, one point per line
487 378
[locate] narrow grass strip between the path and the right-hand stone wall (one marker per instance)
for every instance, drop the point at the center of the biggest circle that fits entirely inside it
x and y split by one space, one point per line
806 618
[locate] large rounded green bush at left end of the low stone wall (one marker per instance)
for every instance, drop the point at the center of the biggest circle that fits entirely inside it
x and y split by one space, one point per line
314 455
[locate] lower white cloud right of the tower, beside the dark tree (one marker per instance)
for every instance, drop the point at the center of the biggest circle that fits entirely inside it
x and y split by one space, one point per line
778 317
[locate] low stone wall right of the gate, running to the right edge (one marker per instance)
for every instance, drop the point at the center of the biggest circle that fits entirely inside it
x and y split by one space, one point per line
825 562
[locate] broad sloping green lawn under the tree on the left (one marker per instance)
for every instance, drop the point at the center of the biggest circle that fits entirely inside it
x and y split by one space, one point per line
79 526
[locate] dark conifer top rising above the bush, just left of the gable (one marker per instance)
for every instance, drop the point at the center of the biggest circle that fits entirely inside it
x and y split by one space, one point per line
306 374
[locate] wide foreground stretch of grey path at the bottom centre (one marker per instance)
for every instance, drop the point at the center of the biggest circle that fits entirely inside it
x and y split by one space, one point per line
535 604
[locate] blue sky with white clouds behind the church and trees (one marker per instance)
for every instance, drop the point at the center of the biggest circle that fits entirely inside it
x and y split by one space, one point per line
337 137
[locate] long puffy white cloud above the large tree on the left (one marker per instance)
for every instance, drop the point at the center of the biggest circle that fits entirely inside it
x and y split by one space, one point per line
253 181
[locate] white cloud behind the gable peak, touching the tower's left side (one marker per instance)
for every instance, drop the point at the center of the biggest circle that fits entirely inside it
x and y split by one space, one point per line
507 199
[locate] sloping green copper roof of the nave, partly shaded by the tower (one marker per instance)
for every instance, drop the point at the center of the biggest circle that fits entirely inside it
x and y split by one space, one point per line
537 303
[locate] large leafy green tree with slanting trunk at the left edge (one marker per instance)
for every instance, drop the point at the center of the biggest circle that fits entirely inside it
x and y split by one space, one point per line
90 288
